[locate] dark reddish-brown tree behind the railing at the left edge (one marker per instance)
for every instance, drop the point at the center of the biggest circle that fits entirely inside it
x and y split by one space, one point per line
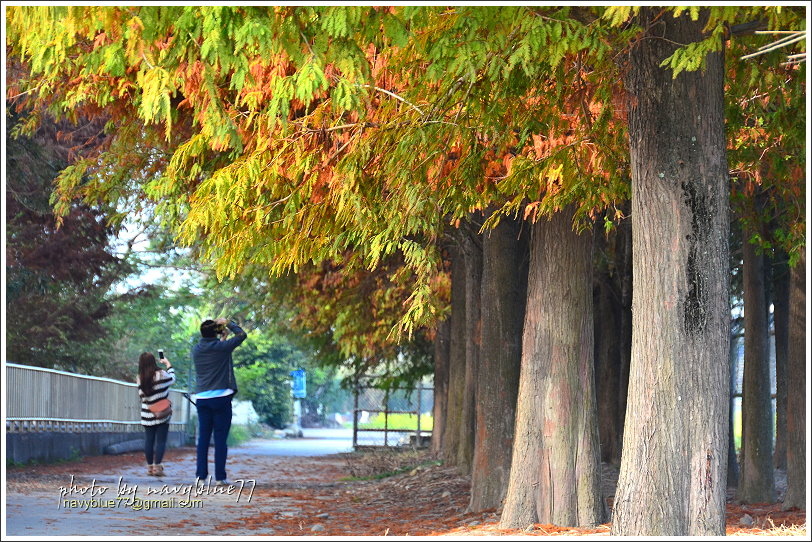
57 279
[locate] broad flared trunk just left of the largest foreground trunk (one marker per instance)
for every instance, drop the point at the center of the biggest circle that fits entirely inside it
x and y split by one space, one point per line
555 470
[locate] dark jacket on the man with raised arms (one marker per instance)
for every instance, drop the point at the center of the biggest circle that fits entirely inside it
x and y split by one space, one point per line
213 363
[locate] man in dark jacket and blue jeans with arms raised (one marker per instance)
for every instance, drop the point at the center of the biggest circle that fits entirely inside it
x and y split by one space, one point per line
215 388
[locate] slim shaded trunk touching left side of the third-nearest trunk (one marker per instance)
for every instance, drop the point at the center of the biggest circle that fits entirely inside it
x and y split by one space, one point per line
472 246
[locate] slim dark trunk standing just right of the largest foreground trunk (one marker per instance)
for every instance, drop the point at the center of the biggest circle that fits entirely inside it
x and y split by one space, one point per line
757 481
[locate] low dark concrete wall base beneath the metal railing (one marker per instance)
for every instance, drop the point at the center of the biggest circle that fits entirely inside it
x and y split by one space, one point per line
53 446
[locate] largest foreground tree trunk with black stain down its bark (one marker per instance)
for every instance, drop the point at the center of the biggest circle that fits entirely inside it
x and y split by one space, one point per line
674 462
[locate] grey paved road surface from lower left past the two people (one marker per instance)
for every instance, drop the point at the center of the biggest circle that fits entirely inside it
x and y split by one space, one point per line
36 508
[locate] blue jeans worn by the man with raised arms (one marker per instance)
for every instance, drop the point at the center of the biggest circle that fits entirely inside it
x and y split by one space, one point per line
214 415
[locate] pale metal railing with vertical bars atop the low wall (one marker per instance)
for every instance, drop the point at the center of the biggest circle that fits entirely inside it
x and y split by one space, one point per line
39 399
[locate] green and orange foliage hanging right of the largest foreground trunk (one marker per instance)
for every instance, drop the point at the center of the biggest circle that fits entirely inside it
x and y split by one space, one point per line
766 118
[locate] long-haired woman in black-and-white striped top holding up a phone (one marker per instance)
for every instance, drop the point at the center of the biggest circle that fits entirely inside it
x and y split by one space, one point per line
153 385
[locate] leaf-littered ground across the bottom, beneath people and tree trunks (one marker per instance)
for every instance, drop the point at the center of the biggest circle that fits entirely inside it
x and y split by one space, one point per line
309 496
